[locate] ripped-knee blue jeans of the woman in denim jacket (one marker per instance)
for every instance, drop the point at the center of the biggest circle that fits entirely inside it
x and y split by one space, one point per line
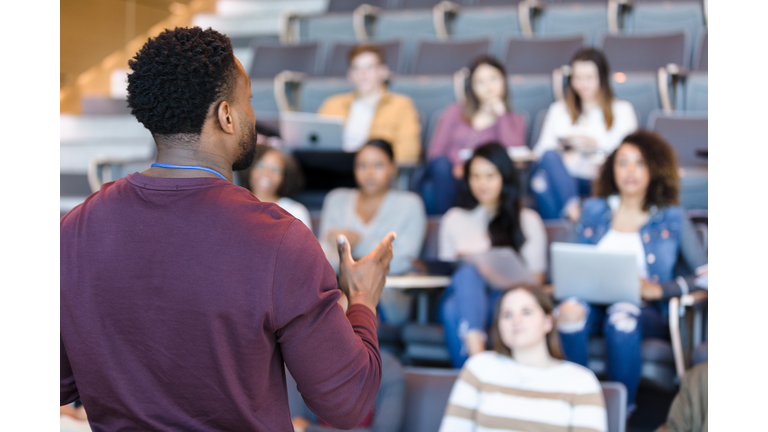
624 327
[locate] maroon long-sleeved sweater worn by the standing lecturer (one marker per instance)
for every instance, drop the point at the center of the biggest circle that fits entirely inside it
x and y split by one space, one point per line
182 298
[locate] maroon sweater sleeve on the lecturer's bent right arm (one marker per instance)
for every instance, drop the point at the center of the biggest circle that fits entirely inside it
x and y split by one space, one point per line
334 359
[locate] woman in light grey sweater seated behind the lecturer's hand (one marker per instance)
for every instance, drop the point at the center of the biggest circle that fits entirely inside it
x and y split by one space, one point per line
370 211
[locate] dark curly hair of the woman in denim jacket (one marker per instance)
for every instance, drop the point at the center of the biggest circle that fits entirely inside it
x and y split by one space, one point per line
664 187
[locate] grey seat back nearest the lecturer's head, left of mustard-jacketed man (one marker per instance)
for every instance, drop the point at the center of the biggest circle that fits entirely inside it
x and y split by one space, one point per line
269 60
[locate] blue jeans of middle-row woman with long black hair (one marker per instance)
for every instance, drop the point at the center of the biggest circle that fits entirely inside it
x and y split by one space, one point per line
467 304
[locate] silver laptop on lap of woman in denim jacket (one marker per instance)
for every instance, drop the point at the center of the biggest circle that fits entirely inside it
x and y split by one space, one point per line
595 276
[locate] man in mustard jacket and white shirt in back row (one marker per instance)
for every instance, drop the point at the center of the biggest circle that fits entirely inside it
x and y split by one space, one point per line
371 111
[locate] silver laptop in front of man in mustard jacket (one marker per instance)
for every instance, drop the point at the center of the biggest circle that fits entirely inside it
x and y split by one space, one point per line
310 131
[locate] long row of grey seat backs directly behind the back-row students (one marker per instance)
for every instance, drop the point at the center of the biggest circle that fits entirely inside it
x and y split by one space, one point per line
625 53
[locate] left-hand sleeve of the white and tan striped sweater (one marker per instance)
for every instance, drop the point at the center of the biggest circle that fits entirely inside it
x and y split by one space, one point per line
462 403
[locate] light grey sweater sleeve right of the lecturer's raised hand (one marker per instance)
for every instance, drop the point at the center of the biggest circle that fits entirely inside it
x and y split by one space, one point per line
410 237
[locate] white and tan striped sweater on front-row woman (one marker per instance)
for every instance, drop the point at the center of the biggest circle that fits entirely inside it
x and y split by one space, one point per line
495 393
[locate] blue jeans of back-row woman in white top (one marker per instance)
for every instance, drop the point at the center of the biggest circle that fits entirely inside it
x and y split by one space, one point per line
553 187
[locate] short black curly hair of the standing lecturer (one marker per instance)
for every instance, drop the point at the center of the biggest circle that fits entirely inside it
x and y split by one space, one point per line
177 76
